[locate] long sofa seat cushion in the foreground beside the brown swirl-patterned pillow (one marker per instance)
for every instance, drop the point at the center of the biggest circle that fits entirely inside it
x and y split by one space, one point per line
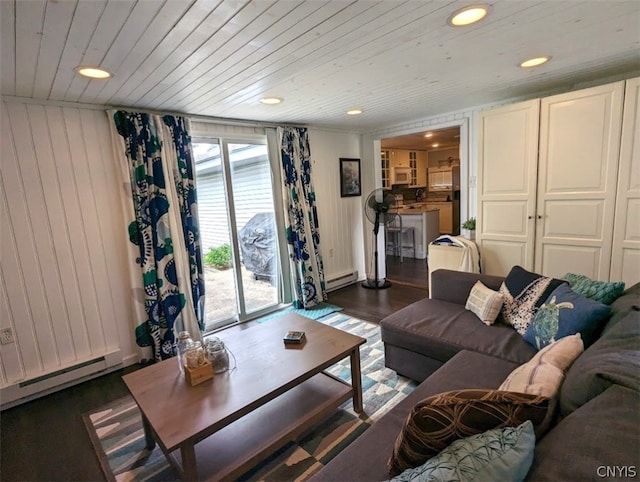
366 458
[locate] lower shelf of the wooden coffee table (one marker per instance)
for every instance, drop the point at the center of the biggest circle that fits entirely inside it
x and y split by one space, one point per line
233 450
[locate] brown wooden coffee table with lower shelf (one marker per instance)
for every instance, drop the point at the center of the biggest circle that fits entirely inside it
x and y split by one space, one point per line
223 427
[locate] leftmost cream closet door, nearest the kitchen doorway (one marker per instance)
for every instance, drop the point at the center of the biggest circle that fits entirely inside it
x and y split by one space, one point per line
508 146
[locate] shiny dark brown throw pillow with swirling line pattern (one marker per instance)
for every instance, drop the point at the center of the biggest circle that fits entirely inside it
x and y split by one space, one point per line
437 421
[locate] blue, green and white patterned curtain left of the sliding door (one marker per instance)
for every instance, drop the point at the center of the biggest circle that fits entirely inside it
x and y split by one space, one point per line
164 232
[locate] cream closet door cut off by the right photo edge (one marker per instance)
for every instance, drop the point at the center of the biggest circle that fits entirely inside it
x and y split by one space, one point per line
625 260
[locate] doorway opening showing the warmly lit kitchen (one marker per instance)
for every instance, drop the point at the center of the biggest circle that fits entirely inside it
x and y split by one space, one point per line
429 198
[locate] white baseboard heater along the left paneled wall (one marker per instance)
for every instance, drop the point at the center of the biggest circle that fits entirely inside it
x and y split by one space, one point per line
27 390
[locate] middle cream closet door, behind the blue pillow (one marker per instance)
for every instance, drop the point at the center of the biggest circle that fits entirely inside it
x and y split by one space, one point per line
578 165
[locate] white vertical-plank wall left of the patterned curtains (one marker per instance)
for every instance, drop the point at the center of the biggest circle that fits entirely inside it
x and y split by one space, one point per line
64 279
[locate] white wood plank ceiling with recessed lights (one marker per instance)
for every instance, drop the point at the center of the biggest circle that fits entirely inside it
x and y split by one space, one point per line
396 60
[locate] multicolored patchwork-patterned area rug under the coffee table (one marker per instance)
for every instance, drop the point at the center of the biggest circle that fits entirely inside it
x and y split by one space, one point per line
118 439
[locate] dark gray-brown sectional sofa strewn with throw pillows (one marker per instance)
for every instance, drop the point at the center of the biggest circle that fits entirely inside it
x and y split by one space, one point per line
596 434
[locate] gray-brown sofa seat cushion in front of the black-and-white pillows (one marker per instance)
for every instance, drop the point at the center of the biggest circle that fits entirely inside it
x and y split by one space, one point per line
441 329
